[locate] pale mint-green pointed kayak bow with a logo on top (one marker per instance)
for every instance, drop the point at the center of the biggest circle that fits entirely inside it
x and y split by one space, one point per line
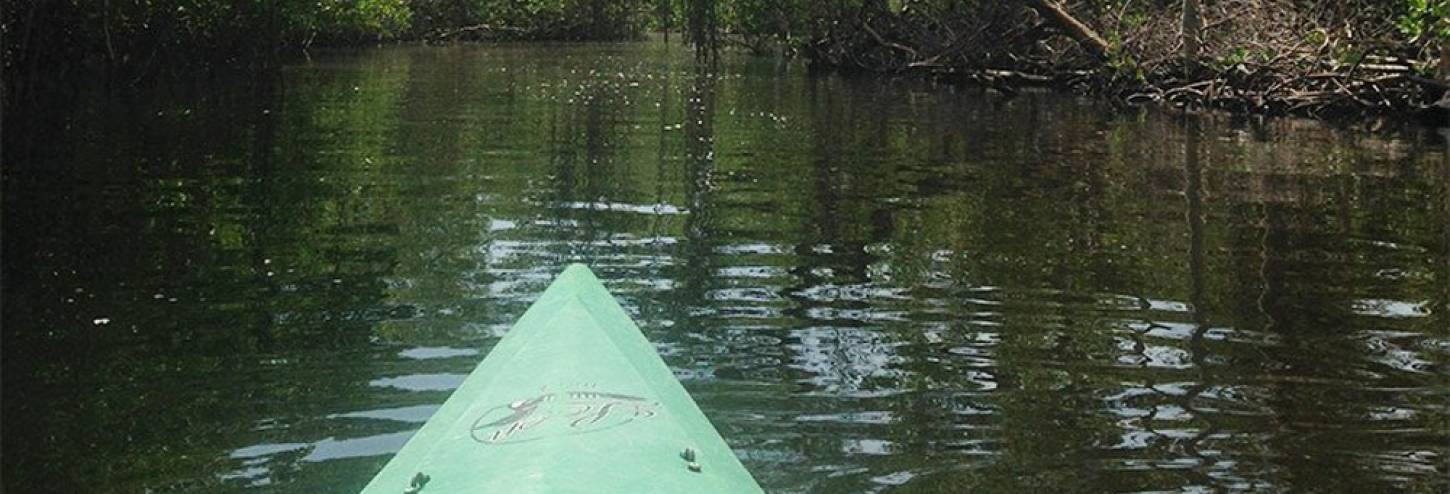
573 399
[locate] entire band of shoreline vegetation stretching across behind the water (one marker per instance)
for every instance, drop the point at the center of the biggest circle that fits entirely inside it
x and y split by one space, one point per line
1317 59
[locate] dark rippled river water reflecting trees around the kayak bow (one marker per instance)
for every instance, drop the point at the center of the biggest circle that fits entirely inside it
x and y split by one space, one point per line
869 285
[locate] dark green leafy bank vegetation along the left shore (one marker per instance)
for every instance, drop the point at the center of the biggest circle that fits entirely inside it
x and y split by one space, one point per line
156 33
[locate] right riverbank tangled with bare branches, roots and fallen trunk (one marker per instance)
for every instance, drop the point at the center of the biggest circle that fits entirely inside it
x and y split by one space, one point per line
1258 59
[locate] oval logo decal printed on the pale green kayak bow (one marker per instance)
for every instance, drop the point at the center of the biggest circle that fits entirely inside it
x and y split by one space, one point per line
552 415
